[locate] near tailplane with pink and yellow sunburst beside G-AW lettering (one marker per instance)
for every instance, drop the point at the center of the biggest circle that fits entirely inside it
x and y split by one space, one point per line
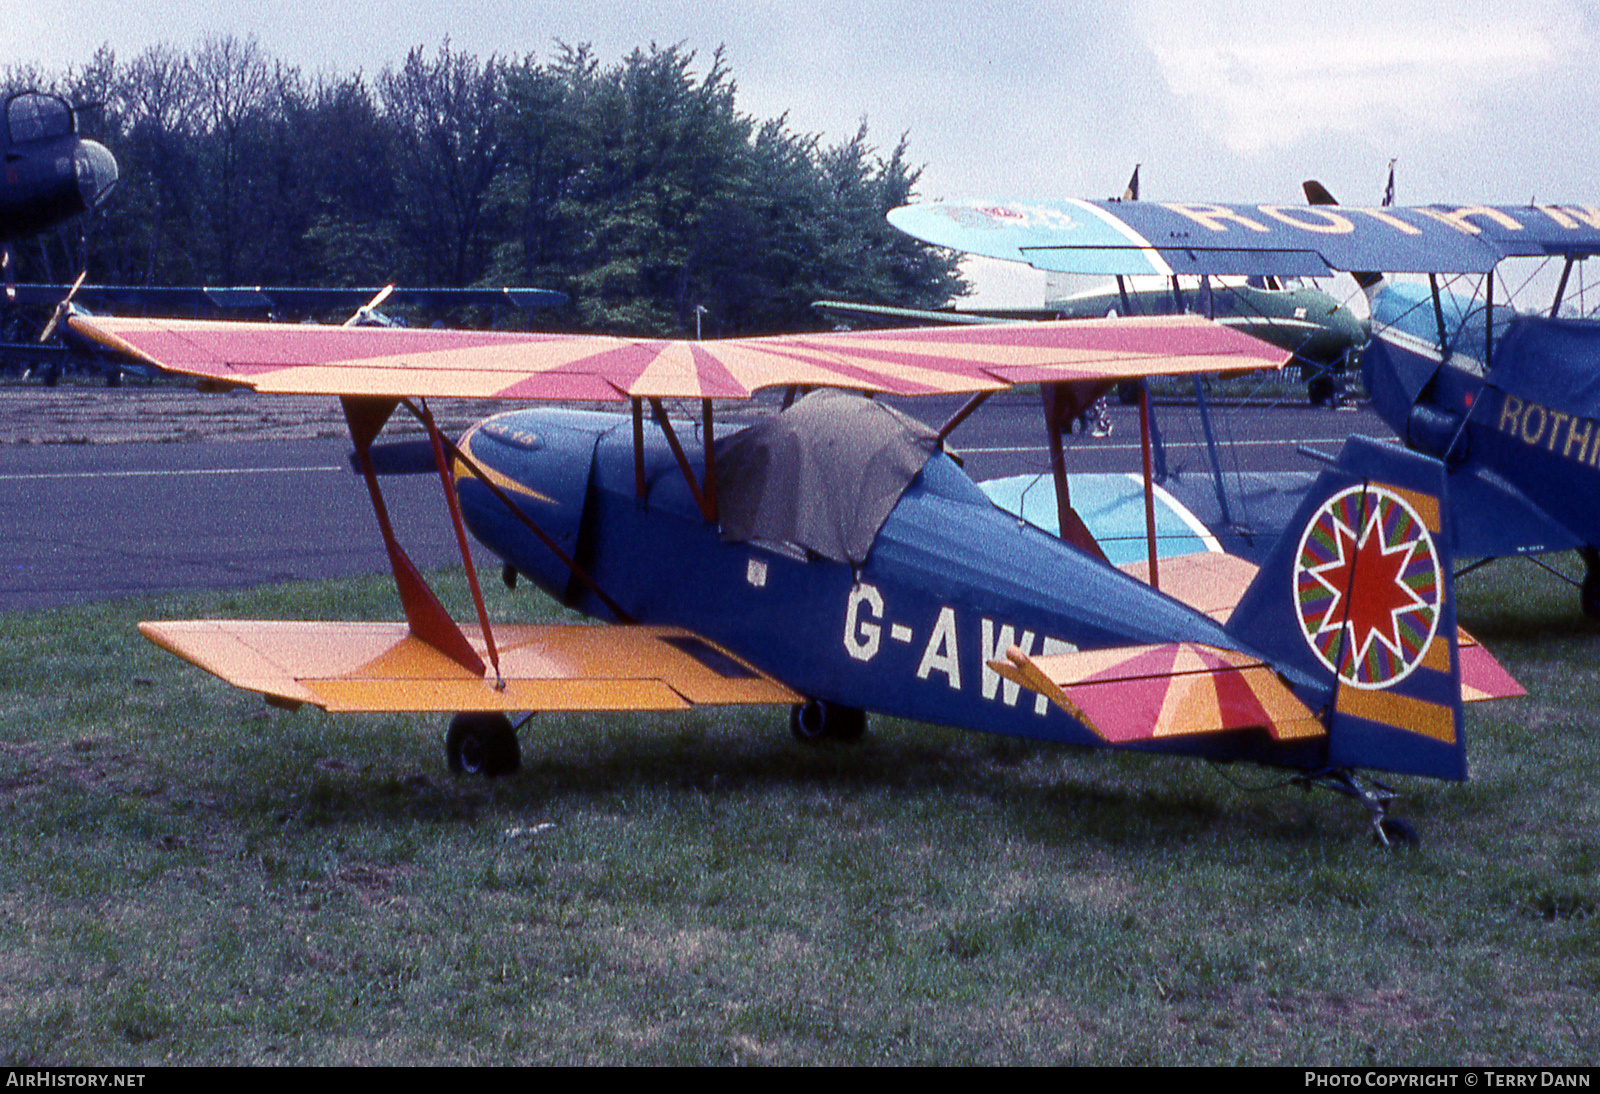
1140 693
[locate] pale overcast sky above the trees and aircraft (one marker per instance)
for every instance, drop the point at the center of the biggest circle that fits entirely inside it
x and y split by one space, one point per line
1238 103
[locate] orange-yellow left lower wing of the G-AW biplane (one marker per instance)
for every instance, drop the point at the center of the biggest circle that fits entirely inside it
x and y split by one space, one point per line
382 668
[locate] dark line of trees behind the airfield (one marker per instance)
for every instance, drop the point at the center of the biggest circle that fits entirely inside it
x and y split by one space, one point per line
639 190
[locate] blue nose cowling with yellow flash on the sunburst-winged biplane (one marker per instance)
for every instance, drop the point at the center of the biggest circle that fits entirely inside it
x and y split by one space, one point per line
542 461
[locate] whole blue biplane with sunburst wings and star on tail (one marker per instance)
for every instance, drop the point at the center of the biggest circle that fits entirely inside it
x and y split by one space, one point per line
834 559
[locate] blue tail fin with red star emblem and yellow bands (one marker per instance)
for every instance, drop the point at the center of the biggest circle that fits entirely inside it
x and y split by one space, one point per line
1356 610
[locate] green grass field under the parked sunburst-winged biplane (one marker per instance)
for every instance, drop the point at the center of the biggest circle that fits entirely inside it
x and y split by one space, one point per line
191 877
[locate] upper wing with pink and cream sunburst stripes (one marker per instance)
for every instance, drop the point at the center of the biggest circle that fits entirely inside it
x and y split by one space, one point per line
390 362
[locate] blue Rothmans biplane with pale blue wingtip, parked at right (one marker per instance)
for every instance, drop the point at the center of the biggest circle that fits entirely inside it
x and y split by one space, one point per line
1506 401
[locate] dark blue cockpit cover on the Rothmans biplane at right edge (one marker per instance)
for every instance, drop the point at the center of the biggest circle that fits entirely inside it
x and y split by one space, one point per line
1553 364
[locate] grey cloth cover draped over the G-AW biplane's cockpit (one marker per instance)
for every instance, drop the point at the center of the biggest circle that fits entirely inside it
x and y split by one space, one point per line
825 474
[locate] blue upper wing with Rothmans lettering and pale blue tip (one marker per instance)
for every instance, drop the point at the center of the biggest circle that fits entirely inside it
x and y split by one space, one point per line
1289 241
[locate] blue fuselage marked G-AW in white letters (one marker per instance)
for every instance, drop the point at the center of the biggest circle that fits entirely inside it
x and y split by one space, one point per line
950 585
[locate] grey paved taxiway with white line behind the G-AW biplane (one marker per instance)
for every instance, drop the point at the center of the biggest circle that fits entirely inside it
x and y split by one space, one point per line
92 522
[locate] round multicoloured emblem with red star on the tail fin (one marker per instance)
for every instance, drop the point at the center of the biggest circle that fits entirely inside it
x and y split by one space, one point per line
1369 586
